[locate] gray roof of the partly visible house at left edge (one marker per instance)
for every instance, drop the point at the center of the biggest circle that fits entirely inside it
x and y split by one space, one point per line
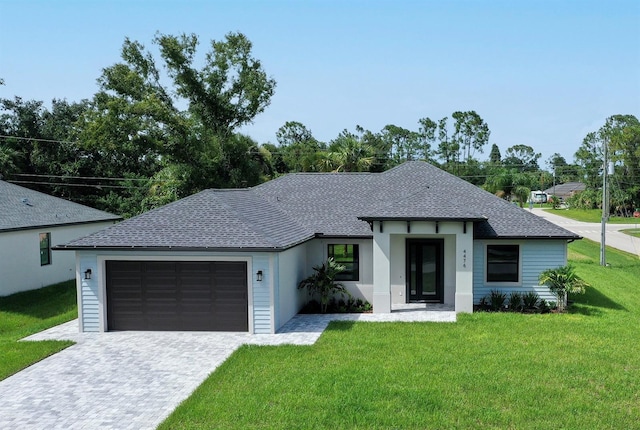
22 208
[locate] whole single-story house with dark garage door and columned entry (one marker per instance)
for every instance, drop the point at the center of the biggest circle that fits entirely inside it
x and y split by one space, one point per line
231 260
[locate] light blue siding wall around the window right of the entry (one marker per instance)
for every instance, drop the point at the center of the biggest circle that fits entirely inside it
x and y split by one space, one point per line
535 257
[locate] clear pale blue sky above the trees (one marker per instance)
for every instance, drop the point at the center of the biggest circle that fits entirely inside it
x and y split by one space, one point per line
541 73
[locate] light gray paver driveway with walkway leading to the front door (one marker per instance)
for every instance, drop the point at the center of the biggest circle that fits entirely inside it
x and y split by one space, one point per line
134 380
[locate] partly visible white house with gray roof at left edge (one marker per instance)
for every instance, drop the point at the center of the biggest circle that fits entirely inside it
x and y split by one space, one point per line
30 224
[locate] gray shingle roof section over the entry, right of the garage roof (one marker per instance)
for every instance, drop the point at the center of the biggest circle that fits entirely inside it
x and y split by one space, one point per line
338 204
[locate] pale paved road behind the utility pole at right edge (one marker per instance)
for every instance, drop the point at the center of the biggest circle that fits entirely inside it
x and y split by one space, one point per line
614 238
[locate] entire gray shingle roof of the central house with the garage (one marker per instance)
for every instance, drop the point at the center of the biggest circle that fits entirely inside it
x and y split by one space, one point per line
296 207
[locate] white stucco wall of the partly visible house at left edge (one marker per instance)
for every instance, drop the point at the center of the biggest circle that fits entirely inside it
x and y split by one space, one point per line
20 268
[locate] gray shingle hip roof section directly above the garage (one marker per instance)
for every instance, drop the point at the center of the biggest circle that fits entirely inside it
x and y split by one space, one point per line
211 219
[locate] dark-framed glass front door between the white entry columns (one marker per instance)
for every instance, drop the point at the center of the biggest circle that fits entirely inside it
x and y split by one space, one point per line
424 270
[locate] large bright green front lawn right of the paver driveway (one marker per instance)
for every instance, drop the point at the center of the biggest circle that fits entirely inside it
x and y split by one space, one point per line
574 371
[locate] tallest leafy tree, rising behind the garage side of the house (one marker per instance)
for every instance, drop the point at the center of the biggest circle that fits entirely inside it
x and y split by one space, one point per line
137 126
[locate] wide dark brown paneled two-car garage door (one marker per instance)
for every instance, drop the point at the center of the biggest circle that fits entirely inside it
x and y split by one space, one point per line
177 295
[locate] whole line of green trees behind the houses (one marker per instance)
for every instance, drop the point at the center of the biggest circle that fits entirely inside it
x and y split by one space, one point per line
161 128
